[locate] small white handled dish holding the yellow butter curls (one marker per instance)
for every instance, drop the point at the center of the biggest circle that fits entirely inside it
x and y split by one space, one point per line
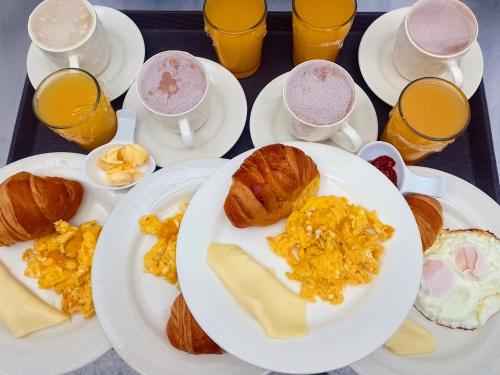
124 135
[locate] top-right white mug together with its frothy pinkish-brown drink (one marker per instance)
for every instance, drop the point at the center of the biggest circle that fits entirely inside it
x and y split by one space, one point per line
432 39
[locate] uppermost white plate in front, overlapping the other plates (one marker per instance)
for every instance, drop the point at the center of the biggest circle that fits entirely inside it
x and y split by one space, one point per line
339 335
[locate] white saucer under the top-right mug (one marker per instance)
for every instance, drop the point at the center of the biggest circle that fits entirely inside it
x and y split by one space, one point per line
377 66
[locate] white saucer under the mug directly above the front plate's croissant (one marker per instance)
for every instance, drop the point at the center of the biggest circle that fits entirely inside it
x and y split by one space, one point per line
269 121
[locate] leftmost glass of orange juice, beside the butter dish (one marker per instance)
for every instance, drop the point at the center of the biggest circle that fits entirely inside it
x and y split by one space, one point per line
73 104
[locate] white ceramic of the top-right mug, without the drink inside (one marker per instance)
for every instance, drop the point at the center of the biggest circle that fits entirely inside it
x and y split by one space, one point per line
413 62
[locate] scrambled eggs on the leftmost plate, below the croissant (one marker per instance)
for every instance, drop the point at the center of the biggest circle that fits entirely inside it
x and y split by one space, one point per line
62 262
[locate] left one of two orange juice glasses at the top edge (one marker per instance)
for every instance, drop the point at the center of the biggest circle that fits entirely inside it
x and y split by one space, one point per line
237 29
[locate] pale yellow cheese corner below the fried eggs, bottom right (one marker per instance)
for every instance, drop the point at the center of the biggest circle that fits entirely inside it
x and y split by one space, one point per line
411 339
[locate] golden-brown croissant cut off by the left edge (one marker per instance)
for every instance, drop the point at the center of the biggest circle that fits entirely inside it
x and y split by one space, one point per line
29 205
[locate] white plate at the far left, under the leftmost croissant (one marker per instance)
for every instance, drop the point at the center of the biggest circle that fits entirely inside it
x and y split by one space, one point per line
67 347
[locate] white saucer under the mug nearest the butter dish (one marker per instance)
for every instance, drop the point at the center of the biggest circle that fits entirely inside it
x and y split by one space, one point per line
228 112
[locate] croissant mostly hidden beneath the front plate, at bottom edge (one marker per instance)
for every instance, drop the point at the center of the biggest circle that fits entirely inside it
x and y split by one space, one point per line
185 334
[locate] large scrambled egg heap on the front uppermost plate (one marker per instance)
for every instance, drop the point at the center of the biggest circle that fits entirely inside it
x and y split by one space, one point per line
330 243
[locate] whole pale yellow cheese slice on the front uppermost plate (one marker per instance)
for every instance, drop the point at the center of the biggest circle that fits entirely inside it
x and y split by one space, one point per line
281 313
